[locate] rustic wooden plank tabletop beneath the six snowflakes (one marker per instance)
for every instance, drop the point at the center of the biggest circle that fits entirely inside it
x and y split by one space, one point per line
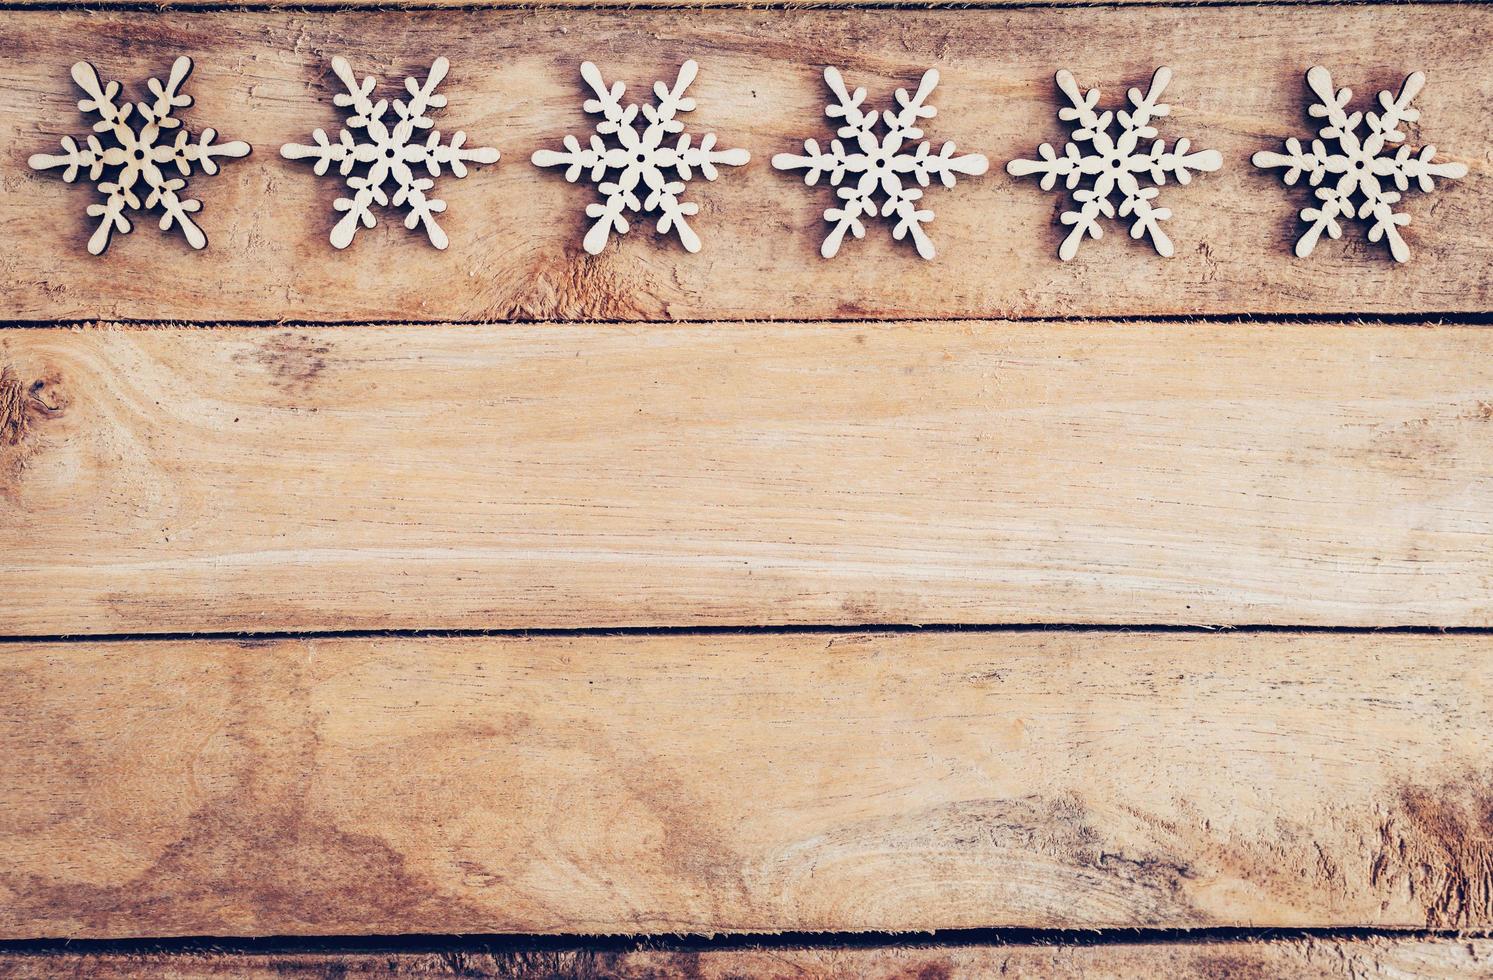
514 592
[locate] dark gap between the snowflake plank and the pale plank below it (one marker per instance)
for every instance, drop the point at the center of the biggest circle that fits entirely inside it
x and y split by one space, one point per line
1421 319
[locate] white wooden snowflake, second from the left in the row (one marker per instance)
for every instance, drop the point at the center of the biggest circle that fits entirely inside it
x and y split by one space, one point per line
390 152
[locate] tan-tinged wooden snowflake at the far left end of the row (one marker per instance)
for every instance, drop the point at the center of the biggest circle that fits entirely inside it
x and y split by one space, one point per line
134 173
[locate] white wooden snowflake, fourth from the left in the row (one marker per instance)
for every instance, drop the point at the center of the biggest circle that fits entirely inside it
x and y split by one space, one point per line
880 165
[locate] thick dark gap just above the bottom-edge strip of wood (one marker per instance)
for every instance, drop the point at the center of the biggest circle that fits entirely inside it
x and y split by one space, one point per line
693 943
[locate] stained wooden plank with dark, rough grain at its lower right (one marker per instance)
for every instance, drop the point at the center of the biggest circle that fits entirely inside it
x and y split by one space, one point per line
746 784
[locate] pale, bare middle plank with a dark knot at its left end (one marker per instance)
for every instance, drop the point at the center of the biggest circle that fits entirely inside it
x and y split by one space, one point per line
740 474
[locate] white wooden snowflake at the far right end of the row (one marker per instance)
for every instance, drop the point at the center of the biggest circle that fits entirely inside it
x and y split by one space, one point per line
1364 164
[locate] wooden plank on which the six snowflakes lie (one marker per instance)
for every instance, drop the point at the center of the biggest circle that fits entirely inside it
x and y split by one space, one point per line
516 231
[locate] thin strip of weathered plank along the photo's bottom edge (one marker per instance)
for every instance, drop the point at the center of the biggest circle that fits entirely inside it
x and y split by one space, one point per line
1301 960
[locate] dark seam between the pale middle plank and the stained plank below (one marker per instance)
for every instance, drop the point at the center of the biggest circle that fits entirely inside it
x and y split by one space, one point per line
743 631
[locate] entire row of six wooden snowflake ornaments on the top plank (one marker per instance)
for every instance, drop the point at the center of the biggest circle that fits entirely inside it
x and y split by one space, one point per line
635 170
